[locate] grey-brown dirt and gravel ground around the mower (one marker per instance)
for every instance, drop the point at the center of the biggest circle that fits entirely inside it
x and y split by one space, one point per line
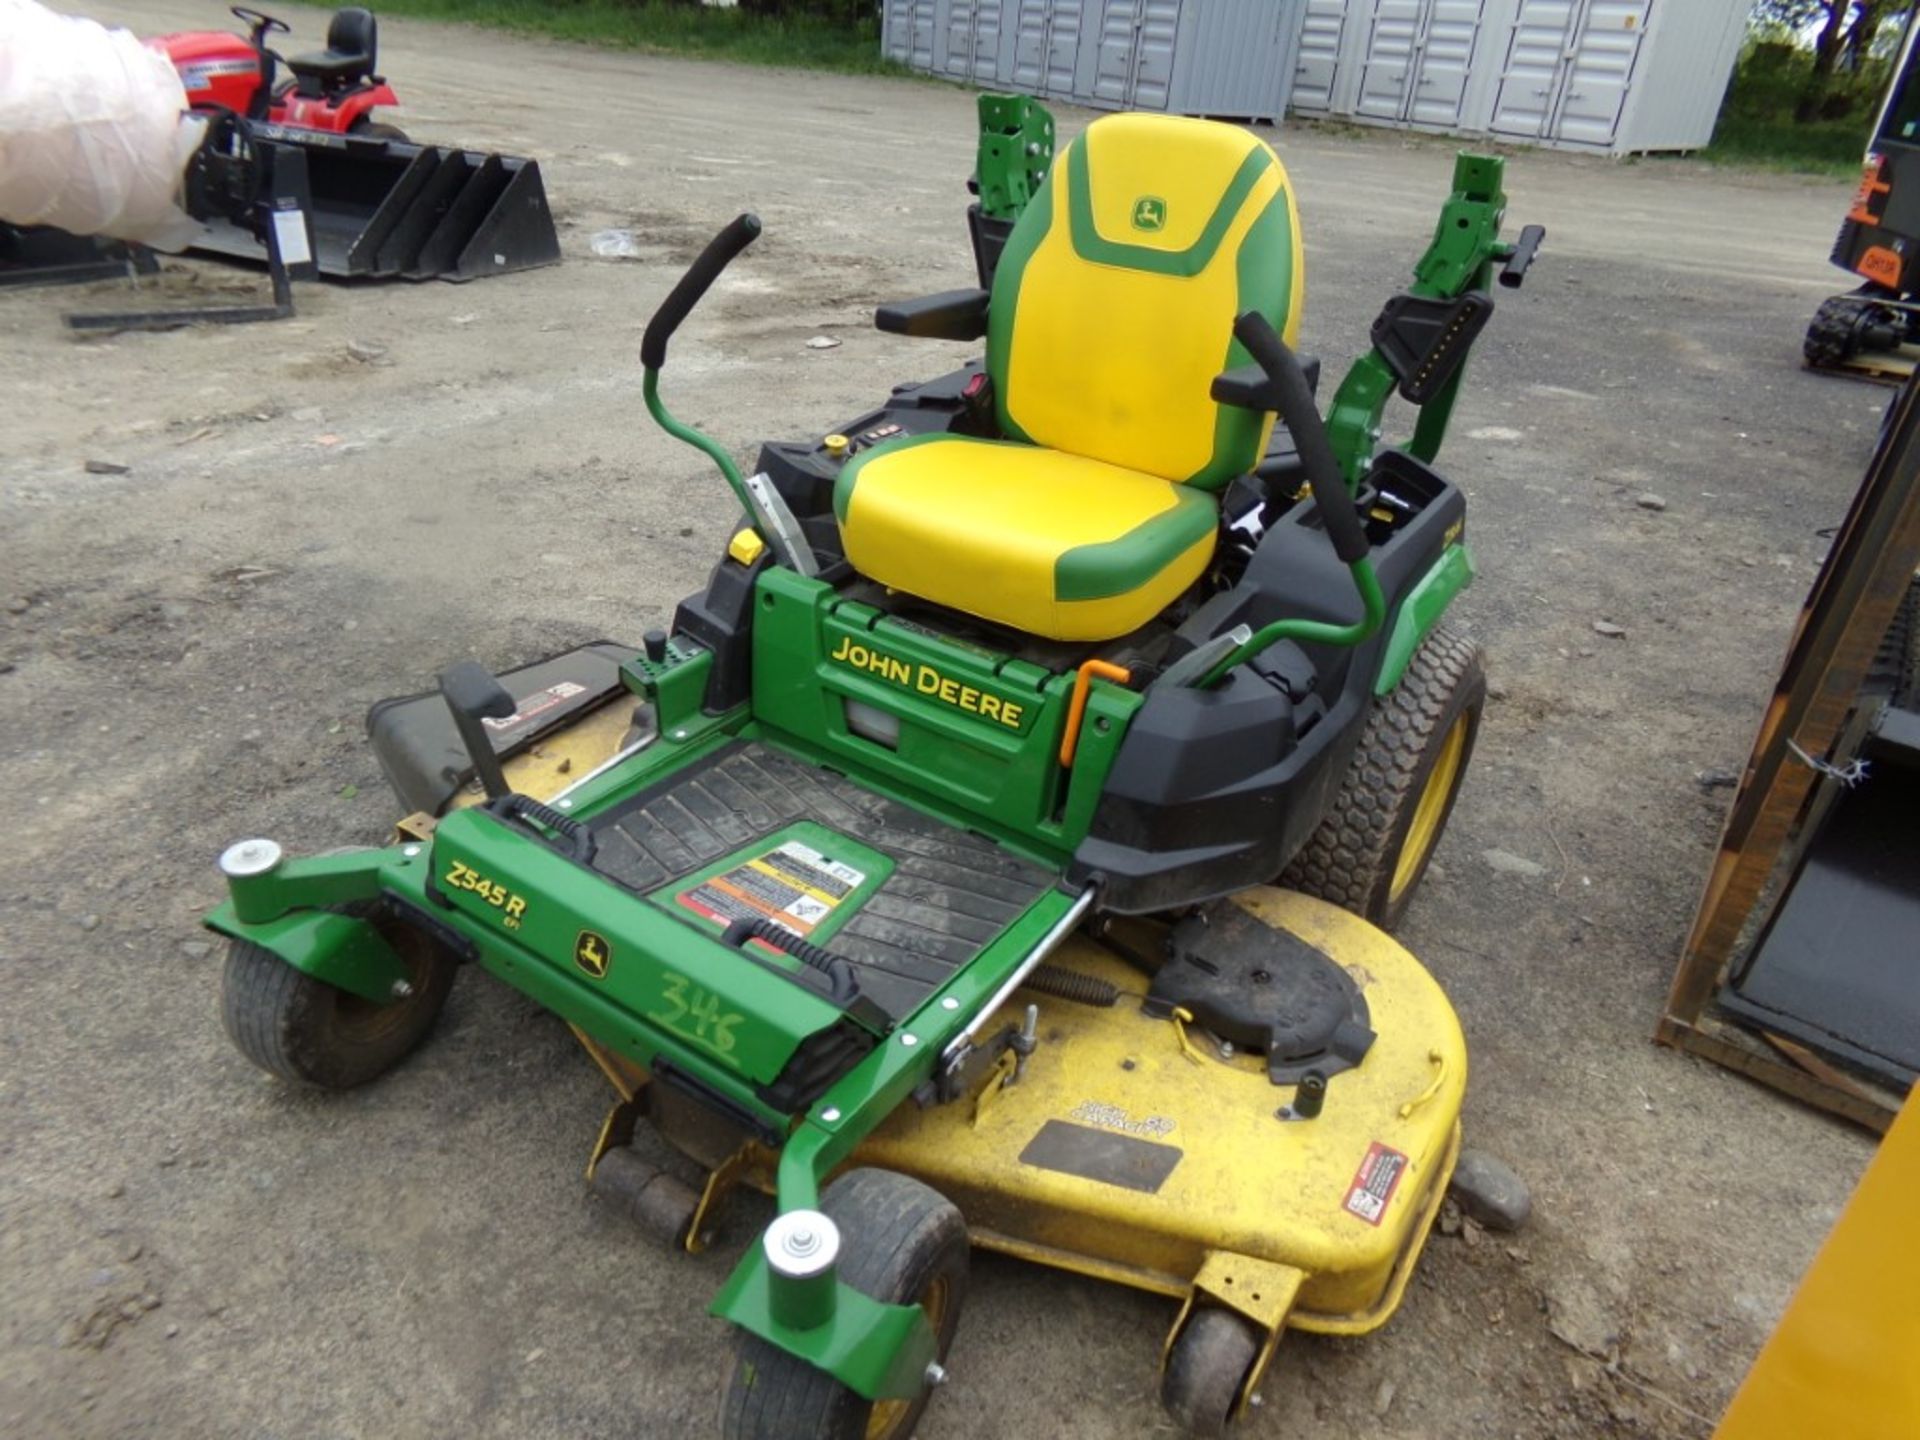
187 652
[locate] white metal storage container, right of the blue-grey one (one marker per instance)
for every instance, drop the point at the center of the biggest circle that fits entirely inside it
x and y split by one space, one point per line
1610 76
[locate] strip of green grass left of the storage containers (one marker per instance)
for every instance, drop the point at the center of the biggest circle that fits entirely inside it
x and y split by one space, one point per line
834 36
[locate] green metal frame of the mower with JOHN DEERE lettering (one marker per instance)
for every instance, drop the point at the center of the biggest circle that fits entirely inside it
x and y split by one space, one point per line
767 1036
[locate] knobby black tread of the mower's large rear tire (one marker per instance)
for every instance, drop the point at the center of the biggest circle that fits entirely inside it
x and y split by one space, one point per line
1349 853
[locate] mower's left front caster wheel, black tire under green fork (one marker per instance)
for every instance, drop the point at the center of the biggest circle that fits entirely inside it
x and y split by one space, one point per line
316 1034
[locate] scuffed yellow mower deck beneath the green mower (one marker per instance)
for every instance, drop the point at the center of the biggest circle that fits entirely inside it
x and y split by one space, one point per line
1141 1151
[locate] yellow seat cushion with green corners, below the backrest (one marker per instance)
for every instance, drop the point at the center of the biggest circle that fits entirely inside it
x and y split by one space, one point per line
1053 544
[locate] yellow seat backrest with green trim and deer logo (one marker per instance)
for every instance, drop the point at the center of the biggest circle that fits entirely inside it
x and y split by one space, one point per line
1116 295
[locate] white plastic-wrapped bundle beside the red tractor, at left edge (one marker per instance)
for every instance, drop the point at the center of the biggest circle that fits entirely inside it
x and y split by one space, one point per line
93 130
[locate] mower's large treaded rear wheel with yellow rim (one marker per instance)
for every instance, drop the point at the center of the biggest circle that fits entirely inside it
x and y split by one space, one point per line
1355 857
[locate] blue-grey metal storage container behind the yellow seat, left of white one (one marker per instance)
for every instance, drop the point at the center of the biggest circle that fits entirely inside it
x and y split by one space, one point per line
1232 59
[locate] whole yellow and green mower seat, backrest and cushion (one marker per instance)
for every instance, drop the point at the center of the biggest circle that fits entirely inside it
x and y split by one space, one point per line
1113 312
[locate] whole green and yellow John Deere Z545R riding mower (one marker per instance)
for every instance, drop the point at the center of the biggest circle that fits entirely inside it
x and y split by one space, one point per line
969 861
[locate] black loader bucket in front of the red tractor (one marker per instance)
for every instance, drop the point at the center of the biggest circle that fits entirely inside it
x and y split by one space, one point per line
387 208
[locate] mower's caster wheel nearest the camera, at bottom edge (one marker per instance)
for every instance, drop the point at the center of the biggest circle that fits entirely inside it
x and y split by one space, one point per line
901 1243
